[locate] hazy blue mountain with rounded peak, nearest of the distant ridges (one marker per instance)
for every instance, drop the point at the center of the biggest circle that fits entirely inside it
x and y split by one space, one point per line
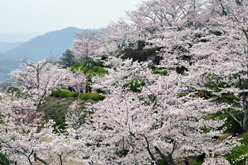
52 44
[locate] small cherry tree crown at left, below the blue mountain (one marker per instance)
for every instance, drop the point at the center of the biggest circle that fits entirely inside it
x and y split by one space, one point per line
38 79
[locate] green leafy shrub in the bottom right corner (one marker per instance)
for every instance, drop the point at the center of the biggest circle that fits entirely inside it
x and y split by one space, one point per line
238 152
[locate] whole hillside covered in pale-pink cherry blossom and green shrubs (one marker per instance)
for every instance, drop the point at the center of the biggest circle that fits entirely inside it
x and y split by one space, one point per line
166 85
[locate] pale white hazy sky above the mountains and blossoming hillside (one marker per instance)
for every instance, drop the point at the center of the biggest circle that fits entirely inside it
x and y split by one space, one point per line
41 16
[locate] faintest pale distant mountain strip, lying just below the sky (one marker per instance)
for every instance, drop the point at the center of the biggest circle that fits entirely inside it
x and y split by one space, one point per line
17 37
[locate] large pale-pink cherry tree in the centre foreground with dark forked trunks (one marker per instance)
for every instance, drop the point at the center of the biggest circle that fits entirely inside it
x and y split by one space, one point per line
156 120
